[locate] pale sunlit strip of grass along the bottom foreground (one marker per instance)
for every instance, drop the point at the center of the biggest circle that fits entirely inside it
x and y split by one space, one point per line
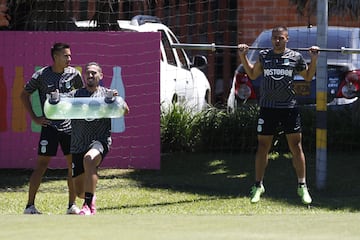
162 227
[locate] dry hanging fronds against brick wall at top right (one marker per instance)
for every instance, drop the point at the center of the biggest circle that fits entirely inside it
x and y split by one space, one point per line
336 7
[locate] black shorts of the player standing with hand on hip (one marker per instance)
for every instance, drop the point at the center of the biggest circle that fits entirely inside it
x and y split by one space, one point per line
50 138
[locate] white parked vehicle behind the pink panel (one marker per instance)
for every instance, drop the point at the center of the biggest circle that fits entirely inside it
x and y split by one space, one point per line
181 80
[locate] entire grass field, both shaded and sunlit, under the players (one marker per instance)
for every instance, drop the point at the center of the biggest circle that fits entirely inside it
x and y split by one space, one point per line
193 196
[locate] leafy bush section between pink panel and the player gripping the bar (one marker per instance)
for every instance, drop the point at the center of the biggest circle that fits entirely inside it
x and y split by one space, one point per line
210 130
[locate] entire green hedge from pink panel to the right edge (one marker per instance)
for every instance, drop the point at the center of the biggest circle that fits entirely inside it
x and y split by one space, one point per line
216 130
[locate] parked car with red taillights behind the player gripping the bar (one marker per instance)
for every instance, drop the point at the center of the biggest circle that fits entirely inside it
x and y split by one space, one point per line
343 69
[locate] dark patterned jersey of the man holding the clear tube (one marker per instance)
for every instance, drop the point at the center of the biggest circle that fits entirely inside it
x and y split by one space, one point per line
86 131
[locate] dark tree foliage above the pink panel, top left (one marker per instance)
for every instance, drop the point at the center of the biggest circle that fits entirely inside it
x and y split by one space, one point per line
49 15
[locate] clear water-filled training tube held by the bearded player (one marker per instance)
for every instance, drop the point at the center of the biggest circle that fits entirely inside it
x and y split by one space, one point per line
84 107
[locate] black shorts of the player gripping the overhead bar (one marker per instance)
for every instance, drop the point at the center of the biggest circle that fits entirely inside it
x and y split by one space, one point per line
274 120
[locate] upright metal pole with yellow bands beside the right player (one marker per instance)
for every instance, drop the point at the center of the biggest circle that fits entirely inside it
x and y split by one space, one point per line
321 96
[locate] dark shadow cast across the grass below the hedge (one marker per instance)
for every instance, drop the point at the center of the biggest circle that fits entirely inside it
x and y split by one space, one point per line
227 176
